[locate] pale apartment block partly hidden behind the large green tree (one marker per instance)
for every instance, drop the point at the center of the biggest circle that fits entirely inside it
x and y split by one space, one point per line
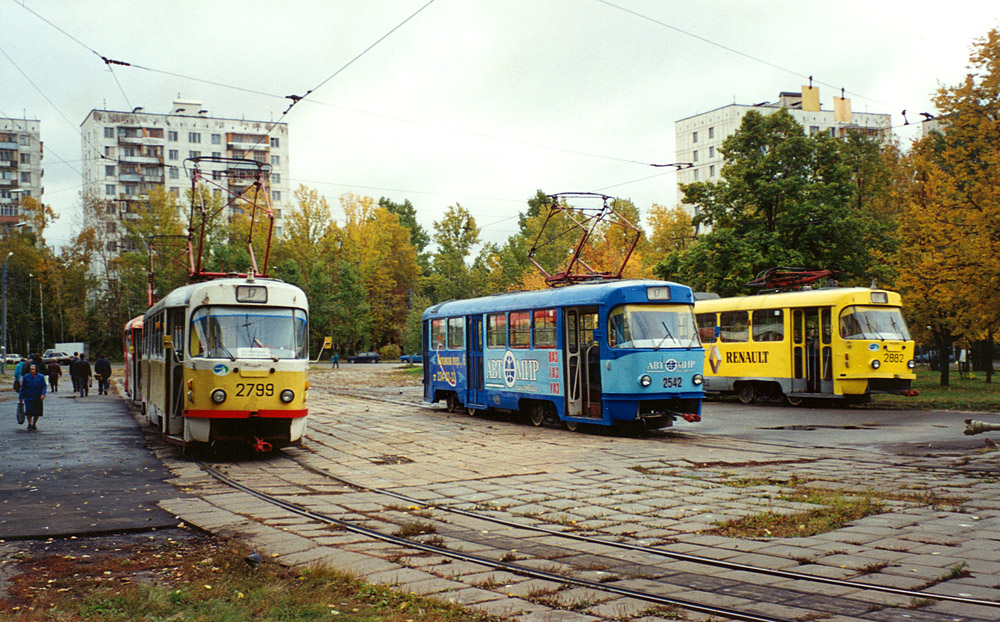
698 138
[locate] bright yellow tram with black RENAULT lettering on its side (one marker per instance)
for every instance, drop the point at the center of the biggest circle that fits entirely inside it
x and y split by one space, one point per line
841 343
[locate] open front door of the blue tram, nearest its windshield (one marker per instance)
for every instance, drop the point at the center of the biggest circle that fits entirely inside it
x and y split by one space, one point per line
583 369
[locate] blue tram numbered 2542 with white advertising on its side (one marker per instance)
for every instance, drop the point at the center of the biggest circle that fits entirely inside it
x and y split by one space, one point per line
604 352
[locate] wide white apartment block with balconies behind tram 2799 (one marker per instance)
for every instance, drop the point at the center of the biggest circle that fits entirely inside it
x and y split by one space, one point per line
125 154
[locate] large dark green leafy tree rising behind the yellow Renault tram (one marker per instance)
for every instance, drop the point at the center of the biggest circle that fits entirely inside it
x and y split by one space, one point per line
785 199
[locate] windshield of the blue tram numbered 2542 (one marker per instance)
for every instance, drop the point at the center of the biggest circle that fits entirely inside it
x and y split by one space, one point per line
652 326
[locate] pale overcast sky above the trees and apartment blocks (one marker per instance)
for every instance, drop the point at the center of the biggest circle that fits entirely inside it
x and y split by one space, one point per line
470 102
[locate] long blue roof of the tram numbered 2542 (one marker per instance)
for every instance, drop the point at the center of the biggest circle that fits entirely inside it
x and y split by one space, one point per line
592 293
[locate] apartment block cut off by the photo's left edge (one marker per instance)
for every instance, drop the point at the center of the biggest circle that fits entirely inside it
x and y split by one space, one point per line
20 167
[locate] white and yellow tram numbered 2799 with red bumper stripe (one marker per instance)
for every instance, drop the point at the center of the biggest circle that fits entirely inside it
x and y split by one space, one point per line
227 360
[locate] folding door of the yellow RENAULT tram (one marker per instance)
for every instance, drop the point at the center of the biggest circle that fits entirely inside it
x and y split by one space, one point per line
812 354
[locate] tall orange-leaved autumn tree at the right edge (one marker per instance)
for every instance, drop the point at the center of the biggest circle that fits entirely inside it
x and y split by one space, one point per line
950 256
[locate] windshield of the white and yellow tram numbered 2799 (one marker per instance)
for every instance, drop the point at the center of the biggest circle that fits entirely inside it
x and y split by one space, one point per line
243 332
